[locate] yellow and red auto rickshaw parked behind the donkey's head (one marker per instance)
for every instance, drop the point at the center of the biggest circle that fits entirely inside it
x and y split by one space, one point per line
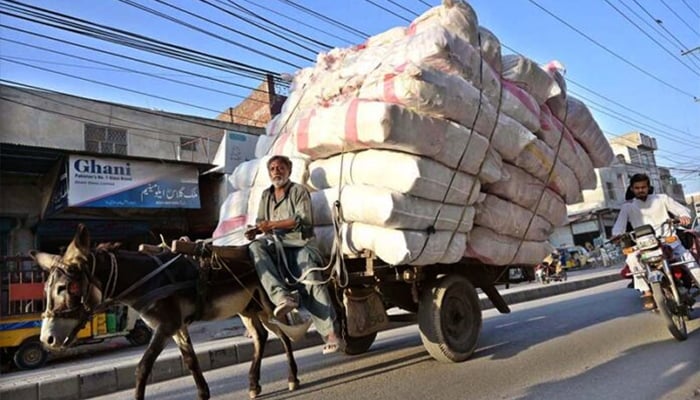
21 304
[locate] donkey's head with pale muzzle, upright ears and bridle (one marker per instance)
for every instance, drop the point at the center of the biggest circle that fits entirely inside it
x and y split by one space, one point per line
70 291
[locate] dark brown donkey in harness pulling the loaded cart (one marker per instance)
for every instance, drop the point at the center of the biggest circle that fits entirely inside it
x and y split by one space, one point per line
164 290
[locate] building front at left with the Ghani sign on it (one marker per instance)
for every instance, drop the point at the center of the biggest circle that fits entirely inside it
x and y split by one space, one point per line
130 174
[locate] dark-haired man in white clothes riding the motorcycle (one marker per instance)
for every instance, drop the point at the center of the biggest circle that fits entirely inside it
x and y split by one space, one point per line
652 209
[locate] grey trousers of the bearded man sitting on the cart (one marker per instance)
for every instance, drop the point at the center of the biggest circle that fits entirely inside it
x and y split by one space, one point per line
314 297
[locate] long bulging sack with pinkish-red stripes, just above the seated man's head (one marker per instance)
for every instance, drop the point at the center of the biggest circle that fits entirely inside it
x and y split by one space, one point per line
359 125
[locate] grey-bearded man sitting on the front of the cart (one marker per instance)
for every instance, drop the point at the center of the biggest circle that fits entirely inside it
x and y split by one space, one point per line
286 256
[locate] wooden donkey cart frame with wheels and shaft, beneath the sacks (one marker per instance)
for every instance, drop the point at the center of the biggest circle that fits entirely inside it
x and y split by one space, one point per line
442 296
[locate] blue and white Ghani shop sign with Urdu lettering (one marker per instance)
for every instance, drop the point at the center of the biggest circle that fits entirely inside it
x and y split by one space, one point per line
119 183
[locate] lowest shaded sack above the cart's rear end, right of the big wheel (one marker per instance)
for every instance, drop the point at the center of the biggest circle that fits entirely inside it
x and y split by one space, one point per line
494 249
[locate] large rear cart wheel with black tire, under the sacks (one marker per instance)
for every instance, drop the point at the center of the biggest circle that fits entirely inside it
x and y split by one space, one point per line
449 319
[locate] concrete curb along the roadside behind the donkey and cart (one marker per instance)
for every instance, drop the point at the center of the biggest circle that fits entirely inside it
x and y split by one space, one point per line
170 366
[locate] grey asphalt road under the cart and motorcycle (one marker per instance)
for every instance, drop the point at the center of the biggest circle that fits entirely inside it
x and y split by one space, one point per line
590 344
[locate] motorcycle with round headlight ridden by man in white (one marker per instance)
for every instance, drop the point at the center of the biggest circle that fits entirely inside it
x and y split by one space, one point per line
671 284
